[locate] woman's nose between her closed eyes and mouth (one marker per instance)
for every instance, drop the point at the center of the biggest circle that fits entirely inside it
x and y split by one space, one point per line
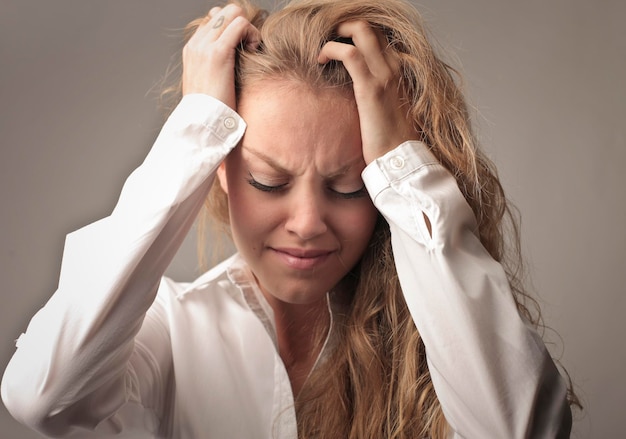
306 216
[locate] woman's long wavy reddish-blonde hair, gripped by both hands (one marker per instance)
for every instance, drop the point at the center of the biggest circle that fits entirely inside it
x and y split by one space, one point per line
376 382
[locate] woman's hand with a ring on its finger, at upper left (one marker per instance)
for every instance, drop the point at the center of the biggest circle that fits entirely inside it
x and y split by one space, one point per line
209 55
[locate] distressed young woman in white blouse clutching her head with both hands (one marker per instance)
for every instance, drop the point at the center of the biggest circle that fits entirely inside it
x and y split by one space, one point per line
370 296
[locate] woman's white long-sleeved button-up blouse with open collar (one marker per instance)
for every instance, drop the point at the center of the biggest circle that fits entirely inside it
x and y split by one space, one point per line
120 349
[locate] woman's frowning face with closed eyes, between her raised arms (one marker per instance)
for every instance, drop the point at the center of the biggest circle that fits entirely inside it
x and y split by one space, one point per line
299 213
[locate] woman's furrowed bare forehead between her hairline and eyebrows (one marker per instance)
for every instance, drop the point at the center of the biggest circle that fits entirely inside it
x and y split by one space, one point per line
299 126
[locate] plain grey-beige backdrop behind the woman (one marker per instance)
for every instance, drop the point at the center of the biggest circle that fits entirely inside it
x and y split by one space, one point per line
79 82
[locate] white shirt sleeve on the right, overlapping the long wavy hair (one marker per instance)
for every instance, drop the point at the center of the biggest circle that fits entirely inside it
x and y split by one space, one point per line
491 371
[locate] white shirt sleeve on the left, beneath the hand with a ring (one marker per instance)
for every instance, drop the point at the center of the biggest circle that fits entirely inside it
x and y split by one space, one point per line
79 360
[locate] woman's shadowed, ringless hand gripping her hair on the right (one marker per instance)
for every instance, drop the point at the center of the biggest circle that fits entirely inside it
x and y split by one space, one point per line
375 72
